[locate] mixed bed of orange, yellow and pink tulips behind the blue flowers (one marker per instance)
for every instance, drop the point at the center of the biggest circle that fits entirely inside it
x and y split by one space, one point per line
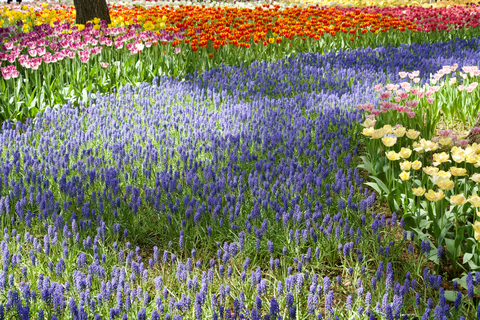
178 41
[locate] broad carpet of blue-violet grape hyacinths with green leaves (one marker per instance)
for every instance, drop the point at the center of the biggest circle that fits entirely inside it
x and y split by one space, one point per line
237 187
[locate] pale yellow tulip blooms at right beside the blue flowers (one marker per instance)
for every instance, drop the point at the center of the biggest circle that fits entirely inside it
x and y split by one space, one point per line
468 157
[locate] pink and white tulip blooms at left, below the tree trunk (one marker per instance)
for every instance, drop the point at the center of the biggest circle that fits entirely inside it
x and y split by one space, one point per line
48 44
